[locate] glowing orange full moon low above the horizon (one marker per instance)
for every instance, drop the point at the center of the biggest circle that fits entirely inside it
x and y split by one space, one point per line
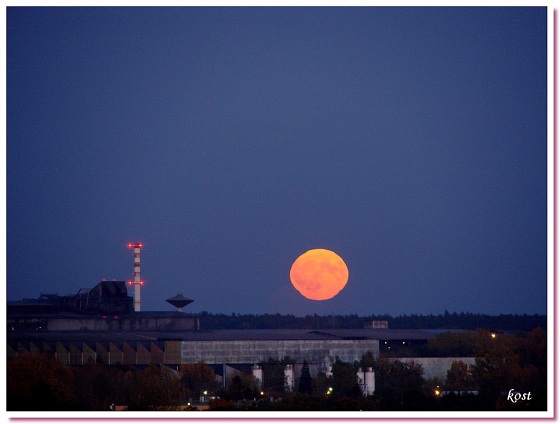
319 274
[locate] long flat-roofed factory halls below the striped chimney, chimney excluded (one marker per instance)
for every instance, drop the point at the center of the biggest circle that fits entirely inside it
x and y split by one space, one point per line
174 338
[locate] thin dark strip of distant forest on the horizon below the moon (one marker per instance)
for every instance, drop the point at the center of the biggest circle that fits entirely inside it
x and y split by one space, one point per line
466 321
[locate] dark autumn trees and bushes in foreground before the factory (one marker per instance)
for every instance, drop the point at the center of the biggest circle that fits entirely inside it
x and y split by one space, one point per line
503 362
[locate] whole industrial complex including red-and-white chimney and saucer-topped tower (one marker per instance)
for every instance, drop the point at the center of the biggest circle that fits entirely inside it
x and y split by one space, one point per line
103 324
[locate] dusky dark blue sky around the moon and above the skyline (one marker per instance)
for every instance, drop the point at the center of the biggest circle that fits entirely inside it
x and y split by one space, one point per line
410 141
